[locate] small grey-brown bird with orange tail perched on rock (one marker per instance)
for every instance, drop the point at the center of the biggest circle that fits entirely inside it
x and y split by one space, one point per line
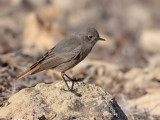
66 54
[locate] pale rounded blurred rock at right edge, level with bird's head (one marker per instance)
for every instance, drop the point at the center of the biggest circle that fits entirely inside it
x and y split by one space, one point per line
150 40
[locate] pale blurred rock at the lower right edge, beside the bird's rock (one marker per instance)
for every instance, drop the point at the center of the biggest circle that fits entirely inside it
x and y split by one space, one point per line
149 102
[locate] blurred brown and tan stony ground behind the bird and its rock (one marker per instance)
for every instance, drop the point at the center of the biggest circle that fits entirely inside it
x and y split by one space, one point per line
127 65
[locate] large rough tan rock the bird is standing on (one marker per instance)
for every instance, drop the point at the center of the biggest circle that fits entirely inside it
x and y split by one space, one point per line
50 102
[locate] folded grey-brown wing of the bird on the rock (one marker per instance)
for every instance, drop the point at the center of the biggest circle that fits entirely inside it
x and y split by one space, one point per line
64 51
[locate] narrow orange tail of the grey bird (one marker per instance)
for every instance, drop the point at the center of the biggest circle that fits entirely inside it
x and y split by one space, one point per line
28 72
